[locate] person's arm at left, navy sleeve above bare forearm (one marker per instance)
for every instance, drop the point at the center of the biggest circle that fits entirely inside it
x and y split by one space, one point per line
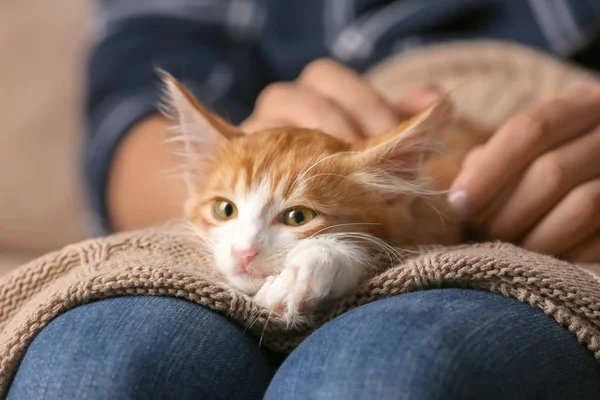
130 172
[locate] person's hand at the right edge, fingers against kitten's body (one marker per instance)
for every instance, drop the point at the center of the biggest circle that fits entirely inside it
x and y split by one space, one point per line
536 182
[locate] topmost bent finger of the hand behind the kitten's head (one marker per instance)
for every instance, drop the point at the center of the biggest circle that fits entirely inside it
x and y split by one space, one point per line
372 114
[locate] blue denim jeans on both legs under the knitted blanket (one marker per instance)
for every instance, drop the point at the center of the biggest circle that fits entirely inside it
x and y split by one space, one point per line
437 344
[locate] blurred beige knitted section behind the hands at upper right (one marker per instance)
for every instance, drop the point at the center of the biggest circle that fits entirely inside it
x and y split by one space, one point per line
490 81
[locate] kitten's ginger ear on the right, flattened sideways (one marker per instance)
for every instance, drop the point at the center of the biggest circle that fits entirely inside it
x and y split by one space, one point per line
401 151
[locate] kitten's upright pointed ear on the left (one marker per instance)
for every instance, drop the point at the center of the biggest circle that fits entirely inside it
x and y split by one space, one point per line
201 131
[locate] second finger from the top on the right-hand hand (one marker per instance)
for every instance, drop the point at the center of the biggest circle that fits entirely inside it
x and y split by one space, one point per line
545 183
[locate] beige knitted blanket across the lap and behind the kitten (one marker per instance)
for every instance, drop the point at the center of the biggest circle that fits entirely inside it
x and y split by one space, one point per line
495 81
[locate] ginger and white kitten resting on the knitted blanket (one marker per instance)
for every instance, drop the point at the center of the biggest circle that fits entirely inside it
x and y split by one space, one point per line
290 215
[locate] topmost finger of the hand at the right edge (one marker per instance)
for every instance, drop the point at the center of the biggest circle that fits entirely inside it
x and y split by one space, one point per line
523 139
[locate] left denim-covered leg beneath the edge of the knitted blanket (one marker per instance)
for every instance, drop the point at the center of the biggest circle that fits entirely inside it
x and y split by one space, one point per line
143 347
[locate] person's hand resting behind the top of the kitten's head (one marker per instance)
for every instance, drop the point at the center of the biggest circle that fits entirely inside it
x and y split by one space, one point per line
335 99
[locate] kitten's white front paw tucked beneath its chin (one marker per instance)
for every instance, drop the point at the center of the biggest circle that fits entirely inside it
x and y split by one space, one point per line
315 271
